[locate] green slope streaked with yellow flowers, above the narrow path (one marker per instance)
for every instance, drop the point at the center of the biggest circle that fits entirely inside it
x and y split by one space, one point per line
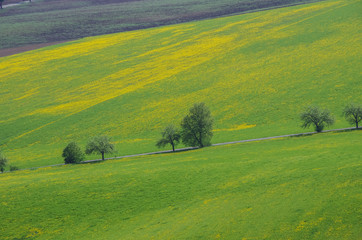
255 71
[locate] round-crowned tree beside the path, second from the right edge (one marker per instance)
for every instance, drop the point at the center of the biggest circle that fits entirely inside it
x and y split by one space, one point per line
319 118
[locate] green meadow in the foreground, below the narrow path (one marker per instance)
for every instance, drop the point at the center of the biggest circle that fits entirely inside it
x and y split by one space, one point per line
291 188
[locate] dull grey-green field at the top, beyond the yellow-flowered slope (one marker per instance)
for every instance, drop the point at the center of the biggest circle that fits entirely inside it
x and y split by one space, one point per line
45 21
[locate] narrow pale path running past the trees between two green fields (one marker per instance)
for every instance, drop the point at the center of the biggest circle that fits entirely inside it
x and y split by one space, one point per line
192 148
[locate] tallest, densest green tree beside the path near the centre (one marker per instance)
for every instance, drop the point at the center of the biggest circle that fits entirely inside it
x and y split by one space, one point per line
197 126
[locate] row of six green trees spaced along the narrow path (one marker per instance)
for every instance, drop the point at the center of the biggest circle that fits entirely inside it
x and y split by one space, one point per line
196 130
